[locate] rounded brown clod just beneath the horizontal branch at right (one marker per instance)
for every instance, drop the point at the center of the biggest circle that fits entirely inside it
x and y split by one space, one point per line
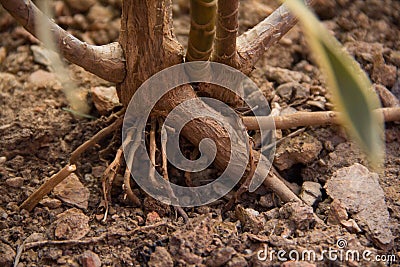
300 149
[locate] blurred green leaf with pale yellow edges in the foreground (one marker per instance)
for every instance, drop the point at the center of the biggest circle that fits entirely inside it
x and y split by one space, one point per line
350 86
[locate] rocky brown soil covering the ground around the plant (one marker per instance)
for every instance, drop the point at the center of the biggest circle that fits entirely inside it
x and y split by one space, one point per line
38 133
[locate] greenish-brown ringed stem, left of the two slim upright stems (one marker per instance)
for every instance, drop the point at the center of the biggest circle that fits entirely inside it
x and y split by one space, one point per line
202 29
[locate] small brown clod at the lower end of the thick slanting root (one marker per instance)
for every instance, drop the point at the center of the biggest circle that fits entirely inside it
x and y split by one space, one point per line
298 213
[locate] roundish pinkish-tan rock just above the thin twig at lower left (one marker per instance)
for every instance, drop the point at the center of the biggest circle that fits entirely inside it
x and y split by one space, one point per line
72 224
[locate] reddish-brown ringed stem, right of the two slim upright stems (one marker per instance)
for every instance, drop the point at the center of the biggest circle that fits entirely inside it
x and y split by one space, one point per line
227 28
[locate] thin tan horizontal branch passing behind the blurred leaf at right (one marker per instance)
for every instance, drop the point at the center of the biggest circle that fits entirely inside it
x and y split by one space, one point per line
301 119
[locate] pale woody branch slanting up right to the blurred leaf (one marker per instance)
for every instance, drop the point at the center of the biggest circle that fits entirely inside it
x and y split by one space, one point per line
253 43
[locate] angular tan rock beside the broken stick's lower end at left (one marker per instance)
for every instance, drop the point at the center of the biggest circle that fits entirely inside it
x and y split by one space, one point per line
72 191
